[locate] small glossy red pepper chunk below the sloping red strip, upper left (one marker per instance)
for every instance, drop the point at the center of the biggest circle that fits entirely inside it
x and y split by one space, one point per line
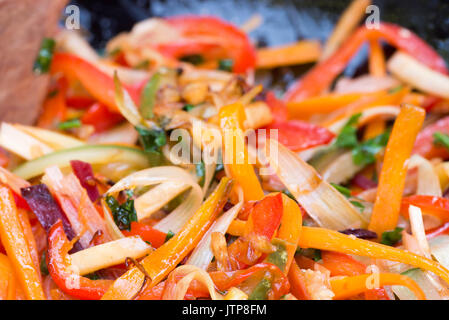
100 117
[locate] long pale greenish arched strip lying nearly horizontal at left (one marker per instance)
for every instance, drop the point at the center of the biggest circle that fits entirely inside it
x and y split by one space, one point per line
94 154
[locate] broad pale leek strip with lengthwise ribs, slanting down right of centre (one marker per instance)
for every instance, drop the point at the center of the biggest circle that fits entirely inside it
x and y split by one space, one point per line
328 207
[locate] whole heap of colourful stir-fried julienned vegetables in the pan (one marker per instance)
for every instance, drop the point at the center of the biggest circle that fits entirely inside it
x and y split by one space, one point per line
163 170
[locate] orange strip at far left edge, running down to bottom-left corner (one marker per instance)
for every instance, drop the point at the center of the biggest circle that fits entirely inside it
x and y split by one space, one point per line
14 241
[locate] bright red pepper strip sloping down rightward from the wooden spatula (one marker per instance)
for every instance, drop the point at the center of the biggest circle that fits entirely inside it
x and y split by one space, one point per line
96 82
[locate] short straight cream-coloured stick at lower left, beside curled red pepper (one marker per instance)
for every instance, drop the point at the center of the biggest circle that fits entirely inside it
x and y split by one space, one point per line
109 254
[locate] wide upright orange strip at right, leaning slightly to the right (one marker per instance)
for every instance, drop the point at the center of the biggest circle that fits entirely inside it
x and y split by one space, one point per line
392 177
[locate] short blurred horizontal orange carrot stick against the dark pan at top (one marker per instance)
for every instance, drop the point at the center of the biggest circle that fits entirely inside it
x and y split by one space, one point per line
296 53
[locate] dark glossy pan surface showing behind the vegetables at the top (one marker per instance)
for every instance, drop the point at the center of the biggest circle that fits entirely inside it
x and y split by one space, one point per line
284 21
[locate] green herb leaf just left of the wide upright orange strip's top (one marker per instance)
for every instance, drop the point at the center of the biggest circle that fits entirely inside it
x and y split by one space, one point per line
365 153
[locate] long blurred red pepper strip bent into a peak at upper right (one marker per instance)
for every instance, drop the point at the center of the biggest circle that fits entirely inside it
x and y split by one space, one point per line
321 77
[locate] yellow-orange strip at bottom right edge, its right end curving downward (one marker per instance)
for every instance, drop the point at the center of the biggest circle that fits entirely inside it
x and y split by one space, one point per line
348 287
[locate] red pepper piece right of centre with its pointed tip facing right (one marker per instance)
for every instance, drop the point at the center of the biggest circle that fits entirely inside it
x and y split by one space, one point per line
299 135
